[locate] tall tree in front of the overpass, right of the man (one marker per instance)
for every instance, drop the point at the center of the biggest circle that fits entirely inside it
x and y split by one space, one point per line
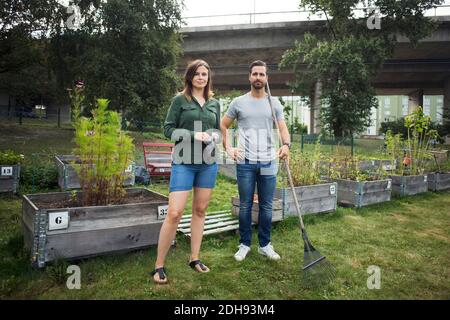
350 54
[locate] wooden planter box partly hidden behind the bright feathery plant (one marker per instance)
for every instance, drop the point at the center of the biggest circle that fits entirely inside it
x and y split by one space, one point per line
68 177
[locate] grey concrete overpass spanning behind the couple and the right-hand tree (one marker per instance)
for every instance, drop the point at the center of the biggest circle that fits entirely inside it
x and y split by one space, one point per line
230 48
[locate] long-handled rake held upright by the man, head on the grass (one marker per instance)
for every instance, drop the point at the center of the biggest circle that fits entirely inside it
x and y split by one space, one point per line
316 268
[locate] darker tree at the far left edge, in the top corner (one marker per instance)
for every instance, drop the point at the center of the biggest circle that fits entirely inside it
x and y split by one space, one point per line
24 26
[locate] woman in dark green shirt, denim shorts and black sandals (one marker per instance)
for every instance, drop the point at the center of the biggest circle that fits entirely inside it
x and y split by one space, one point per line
192 116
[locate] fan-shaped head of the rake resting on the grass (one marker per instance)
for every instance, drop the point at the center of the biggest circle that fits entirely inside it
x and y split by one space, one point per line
317 270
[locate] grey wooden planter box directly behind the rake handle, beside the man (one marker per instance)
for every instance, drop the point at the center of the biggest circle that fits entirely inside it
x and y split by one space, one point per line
312 199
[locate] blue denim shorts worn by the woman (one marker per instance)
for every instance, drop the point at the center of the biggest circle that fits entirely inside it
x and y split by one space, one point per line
186 176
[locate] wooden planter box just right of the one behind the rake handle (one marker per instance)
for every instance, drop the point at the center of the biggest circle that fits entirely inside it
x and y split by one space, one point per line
363 193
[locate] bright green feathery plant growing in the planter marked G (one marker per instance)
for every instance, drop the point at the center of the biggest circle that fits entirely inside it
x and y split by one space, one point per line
105 152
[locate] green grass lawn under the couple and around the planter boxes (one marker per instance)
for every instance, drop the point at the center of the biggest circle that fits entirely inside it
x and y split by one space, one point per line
408 239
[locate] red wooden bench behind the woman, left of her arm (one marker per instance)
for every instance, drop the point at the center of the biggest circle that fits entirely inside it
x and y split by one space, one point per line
158 162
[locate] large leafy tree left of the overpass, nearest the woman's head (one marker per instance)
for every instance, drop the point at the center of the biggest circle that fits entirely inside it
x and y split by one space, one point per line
125 51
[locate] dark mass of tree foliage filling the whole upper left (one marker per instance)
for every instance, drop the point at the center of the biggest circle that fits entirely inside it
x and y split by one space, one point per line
123 50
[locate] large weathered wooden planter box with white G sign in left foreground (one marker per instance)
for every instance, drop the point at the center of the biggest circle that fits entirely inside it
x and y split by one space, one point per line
78 232
